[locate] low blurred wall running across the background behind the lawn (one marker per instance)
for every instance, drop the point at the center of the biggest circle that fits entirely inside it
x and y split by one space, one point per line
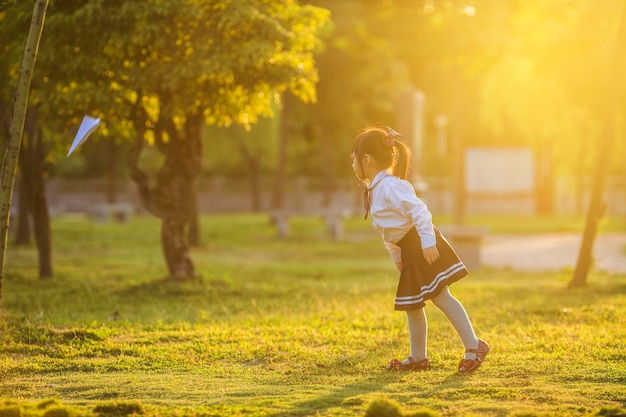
223 195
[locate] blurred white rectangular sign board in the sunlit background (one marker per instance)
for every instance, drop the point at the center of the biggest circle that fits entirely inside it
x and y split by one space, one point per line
499 170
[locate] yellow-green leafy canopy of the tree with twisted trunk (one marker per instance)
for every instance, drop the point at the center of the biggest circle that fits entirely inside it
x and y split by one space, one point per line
226 58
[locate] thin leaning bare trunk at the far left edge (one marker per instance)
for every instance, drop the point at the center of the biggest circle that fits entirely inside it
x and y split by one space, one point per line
9 165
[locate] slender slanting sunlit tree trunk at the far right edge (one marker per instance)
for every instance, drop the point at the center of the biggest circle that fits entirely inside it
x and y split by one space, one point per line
597 206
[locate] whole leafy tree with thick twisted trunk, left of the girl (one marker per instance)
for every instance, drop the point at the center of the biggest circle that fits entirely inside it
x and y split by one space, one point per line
168 67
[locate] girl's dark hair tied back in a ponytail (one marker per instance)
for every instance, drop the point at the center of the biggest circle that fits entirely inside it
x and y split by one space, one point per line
381 144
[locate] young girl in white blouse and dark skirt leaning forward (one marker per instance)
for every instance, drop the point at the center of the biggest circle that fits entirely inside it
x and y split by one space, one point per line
427 263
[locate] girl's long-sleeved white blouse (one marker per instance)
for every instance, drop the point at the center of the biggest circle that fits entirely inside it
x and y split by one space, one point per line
395 208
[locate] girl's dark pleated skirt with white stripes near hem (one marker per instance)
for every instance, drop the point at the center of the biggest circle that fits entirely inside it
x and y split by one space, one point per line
418 280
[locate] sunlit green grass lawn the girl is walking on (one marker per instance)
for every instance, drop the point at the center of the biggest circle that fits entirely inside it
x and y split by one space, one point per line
294 327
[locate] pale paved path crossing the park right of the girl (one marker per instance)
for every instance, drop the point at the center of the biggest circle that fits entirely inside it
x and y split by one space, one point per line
552 251
